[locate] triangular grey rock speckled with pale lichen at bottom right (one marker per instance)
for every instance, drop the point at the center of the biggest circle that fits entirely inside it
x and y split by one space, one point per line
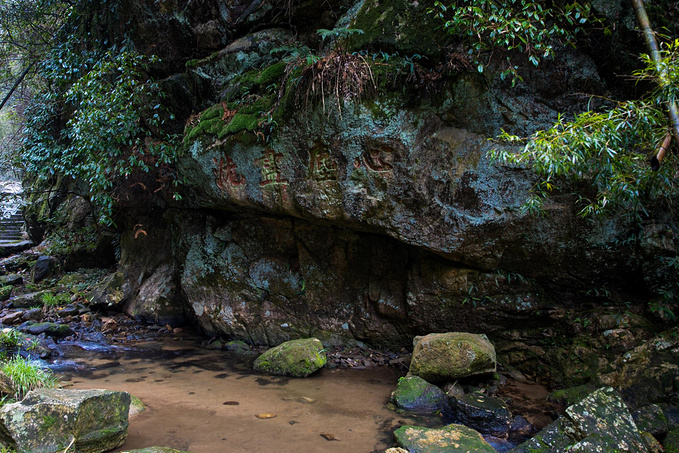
600 422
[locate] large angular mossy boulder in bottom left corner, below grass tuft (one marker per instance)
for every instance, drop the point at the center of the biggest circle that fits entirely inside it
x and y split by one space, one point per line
49 420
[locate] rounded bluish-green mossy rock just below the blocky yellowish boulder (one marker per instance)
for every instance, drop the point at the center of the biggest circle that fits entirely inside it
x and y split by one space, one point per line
415 394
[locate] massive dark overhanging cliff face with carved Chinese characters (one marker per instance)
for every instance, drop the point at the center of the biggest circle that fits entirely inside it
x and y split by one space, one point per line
371 213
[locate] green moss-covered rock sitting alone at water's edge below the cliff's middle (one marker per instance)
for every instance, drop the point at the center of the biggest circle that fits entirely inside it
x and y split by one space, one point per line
297 358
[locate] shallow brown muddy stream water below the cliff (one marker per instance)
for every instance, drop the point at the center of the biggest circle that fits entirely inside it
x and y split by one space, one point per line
208 401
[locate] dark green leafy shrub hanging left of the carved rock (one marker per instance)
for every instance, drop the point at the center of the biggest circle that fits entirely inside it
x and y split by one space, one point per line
99 119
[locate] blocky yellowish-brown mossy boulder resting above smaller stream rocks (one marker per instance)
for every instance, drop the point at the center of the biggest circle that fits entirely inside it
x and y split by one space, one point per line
441 357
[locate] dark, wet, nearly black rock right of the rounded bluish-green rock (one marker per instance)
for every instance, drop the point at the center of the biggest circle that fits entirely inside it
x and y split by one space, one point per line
483 413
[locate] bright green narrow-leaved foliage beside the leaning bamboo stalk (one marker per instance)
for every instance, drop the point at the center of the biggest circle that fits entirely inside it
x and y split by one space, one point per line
608 150
